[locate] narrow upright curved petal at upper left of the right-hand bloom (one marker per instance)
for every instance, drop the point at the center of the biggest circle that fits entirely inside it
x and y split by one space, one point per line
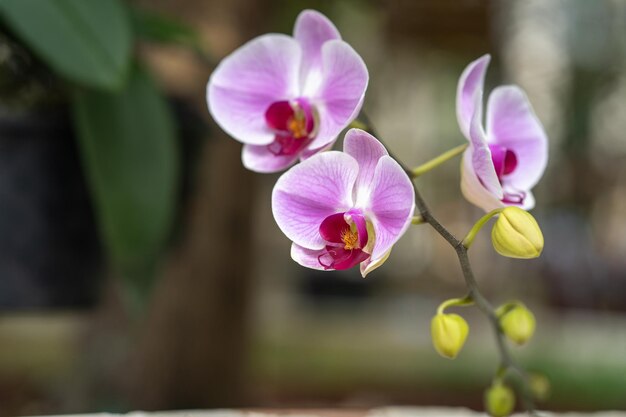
471 82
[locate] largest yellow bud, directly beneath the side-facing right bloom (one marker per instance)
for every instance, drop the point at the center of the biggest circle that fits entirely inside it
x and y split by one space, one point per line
516 234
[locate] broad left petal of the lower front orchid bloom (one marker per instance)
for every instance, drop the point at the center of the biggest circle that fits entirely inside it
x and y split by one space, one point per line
311 191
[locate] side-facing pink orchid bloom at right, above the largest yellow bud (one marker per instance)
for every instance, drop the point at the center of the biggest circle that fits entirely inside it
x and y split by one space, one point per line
505 161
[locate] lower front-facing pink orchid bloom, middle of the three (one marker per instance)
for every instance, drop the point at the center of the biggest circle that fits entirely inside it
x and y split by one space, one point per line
345 208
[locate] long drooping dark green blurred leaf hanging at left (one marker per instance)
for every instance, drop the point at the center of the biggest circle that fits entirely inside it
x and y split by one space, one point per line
129 152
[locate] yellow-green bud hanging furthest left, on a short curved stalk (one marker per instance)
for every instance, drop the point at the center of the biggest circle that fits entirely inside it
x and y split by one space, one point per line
449 332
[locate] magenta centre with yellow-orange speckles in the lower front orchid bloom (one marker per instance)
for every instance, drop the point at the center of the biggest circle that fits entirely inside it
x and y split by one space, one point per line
344 240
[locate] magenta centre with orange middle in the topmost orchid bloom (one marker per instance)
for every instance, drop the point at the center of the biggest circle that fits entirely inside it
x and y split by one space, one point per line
293 123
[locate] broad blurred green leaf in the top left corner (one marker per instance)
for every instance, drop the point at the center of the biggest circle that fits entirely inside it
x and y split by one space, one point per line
85 41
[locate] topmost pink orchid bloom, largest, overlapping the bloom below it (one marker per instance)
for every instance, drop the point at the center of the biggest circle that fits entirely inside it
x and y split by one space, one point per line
288 97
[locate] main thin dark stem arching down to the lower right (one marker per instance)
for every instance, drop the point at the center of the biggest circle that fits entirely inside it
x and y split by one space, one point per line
507 362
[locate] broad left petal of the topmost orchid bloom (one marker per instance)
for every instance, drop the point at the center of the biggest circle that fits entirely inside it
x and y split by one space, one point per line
245 83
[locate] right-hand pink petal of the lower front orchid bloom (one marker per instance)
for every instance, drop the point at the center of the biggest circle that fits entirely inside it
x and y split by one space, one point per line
392 203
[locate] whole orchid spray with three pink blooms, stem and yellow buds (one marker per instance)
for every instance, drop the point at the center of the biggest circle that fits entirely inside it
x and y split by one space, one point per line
289 99
